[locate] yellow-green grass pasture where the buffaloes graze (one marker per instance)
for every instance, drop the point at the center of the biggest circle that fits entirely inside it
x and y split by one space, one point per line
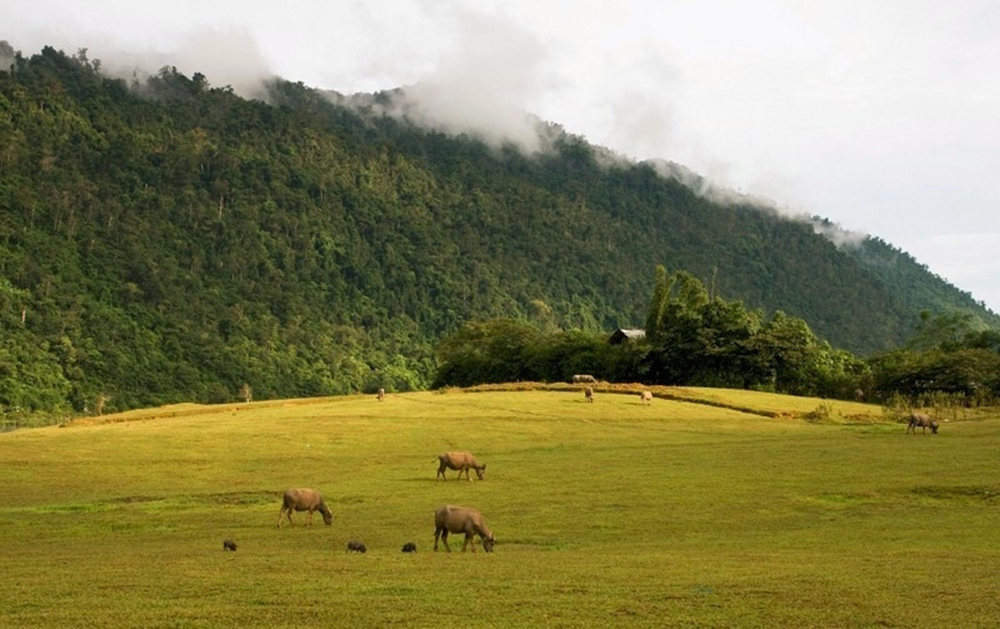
612 513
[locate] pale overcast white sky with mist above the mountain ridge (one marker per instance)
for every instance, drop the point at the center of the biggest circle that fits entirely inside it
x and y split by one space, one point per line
882 116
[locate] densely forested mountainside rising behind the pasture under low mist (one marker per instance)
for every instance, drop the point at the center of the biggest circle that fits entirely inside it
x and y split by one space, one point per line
166 240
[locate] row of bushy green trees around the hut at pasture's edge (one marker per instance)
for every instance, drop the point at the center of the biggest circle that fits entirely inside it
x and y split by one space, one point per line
696 339
